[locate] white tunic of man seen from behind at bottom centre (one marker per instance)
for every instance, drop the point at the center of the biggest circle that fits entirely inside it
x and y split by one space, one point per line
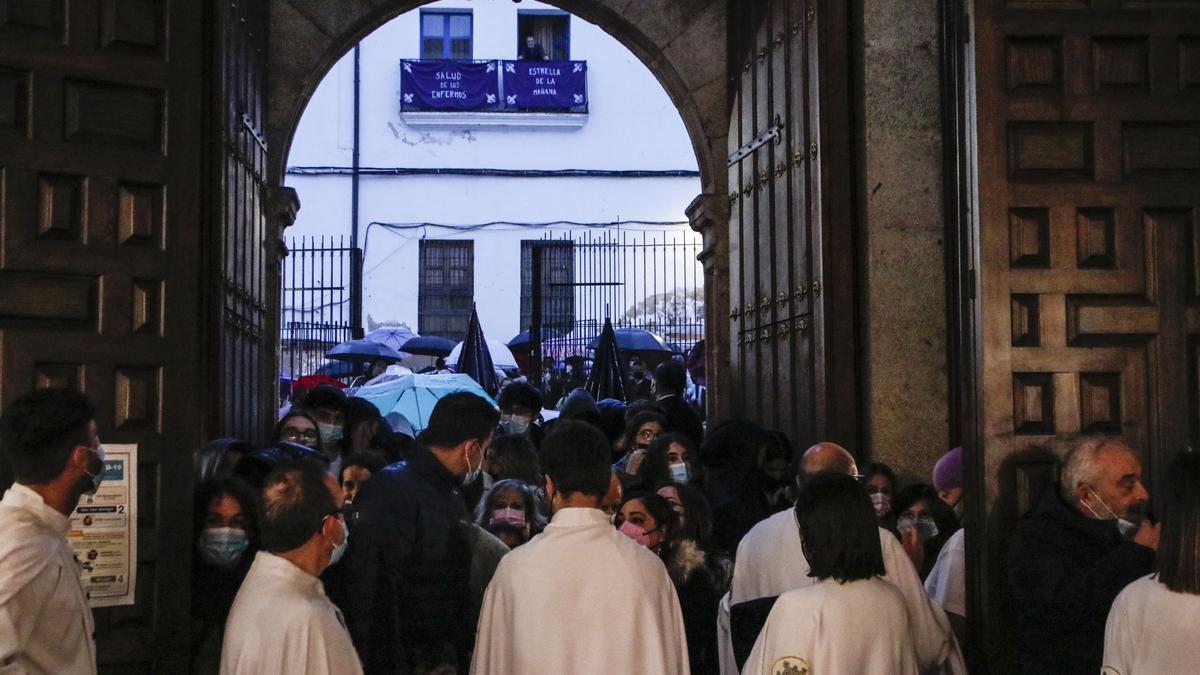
580 599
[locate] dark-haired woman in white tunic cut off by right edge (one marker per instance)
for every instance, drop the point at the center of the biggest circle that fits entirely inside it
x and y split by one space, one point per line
1153 624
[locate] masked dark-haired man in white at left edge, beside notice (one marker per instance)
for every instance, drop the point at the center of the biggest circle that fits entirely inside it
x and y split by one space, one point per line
51 443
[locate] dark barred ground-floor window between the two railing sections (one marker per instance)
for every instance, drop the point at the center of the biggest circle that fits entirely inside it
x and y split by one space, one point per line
447 288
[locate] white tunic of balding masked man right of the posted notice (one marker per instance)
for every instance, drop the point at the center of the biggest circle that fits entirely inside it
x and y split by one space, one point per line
281 623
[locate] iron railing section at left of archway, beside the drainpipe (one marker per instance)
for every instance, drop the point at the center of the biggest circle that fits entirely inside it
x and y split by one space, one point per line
321 304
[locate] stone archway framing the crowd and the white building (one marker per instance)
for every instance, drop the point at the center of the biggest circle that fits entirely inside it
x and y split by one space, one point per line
682 43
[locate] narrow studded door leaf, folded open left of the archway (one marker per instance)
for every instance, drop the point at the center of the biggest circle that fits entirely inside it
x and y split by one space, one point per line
244 282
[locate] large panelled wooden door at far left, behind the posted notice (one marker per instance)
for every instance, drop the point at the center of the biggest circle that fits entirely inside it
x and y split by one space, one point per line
100 194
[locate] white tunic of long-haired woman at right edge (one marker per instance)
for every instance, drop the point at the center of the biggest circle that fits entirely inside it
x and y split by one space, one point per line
1153 630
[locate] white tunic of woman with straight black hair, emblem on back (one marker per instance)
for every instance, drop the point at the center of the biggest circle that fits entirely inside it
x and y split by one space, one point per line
821 629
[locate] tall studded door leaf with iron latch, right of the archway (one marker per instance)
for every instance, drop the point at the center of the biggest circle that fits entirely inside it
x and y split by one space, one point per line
791 260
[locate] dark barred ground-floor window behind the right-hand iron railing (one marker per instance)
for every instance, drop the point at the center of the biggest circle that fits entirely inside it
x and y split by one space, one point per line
559 286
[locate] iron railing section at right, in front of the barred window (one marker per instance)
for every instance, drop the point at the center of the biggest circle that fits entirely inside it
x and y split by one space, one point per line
572 283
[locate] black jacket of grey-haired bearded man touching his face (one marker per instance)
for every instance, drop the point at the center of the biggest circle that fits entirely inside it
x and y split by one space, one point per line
1065 571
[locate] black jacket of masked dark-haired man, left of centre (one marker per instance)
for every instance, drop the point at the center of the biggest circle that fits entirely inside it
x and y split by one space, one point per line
404 583
